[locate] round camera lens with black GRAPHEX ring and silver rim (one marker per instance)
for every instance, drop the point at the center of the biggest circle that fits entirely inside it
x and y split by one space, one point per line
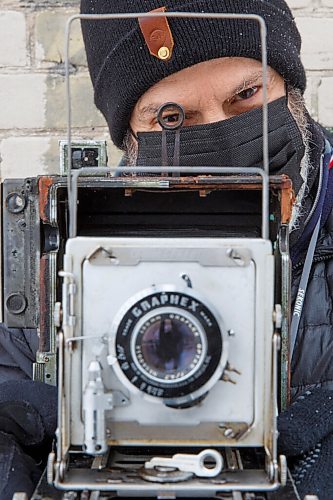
168 344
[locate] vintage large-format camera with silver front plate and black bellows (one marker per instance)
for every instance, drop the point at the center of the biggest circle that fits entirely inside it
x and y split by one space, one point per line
169 305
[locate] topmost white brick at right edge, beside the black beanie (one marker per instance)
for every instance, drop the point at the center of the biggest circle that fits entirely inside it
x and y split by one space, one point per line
317 49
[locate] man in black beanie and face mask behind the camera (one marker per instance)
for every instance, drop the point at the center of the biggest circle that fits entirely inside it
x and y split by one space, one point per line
212 69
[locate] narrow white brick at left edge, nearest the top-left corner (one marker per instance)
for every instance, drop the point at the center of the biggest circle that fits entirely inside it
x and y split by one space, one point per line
12 39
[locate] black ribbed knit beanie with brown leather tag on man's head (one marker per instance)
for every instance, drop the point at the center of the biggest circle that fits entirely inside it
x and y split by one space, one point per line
122 68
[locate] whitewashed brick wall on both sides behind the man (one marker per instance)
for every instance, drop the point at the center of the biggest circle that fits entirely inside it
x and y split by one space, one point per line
32 94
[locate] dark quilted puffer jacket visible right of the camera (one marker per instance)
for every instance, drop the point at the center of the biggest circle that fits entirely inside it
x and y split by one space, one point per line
312 362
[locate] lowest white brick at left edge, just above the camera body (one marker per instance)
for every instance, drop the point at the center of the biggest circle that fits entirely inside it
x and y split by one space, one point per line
24 156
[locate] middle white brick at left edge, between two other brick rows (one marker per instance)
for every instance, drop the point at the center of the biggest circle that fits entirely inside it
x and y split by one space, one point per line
22 101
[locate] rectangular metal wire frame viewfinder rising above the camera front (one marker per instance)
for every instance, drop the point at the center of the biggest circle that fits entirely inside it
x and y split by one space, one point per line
264 173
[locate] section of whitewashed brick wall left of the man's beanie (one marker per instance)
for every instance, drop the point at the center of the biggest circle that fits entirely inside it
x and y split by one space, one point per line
32 90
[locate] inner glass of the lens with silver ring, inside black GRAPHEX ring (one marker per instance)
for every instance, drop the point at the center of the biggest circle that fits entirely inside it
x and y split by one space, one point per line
169 347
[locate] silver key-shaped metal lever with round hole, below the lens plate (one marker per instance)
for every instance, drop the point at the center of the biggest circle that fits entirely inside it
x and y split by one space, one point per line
195 464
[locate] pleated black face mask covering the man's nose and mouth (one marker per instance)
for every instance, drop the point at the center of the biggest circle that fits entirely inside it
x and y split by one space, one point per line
236 142
